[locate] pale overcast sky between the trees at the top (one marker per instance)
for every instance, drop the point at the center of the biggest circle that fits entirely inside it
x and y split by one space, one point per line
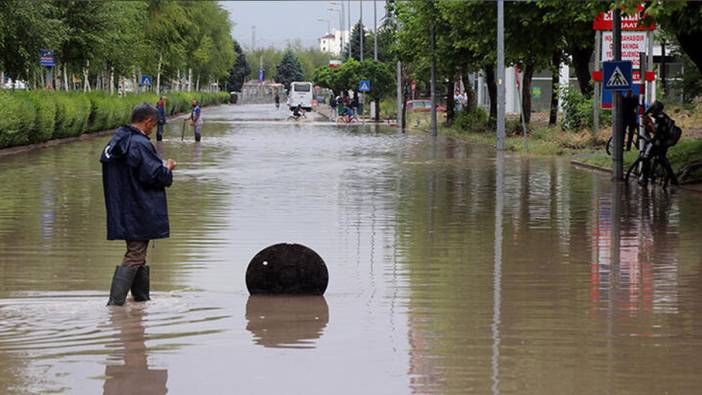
278 22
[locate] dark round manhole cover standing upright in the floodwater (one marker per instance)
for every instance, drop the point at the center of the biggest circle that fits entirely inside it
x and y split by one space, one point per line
287 269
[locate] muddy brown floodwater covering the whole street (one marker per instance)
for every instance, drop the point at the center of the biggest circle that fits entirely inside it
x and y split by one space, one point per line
451 270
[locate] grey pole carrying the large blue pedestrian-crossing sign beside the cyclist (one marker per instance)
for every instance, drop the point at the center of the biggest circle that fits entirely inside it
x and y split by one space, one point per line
617 130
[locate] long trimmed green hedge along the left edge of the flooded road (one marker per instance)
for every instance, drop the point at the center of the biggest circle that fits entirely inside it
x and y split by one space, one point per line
34 117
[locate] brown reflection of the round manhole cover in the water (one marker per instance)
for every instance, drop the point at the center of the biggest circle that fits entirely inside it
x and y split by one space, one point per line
286 321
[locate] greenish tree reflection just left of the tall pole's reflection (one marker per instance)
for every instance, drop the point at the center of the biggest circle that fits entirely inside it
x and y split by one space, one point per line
444 233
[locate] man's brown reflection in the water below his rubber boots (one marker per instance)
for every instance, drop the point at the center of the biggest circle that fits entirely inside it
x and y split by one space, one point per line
133 376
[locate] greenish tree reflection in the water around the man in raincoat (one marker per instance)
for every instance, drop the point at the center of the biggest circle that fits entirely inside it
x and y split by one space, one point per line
53 202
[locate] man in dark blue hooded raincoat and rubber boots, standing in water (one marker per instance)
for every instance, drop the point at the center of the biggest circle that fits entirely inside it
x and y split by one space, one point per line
134 181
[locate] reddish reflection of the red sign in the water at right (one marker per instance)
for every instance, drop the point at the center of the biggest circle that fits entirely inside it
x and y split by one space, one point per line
635 249
